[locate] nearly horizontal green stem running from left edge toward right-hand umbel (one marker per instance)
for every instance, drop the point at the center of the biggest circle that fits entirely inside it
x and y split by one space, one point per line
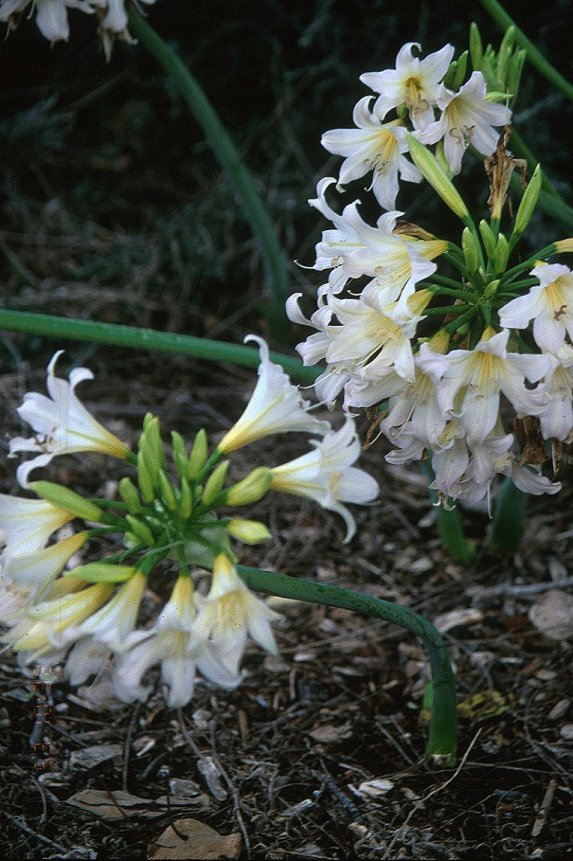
134 338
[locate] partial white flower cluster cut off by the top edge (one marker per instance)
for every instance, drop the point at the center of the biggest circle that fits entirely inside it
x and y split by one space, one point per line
52 18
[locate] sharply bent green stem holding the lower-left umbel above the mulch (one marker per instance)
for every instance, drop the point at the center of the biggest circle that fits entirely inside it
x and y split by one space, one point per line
443 724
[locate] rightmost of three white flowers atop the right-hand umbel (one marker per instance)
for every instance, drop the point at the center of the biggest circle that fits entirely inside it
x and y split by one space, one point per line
467 118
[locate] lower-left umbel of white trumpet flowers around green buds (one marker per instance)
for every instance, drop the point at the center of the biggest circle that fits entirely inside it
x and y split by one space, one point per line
172 531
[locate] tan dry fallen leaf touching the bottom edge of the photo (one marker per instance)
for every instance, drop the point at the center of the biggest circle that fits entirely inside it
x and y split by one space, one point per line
193 840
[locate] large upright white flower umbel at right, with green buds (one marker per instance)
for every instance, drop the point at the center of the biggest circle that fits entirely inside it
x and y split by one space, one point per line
463 351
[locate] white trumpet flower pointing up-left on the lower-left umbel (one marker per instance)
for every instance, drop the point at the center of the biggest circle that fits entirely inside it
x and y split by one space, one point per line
62 424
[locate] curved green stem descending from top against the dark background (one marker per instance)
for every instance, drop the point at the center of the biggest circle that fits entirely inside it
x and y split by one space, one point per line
230 159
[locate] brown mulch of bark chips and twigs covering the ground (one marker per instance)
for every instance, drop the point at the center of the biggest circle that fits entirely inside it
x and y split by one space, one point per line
319 753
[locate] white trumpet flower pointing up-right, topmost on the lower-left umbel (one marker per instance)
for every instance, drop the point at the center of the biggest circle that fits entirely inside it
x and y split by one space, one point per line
276 406
